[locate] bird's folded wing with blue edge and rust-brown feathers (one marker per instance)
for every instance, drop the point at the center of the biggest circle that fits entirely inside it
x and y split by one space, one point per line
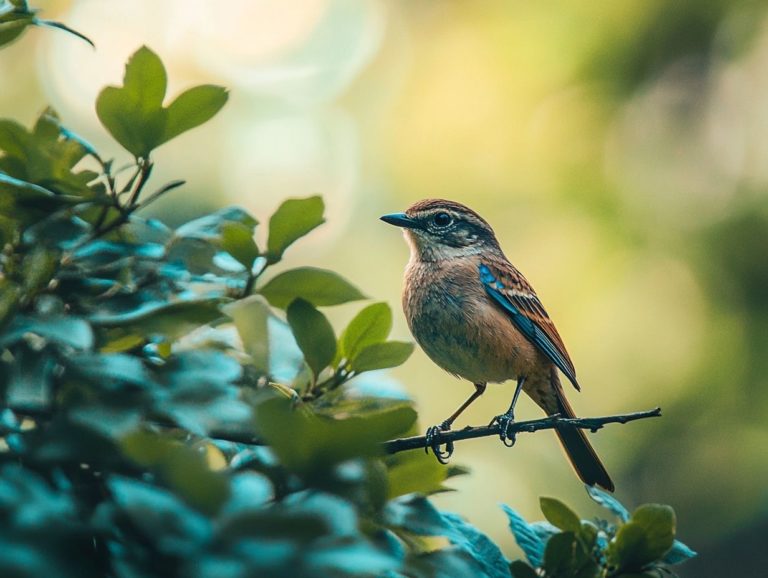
511 290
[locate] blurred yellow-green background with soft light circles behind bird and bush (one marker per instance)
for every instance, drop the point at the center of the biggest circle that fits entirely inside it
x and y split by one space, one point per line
619 149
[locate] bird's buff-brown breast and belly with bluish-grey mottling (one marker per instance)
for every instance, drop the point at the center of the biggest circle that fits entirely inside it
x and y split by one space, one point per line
459 327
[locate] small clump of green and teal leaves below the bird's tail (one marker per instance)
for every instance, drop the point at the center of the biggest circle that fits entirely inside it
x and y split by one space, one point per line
640 545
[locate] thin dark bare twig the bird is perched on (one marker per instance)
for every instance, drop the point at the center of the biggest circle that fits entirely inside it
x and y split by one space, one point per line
591 423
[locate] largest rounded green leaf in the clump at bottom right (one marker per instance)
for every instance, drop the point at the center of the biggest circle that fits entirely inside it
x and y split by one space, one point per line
647 536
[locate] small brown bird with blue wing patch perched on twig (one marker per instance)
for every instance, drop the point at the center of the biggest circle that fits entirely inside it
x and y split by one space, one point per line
476 316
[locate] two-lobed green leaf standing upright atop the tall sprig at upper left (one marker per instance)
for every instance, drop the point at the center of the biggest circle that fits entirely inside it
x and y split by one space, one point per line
133 113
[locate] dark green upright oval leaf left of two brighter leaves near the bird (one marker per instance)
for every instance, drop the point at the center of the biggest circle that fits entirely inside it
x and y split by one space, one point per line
313 333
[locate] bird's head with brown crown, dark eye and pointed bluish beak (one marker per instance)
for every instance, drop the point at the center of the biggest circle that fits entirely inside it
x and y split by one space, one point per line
437 229
